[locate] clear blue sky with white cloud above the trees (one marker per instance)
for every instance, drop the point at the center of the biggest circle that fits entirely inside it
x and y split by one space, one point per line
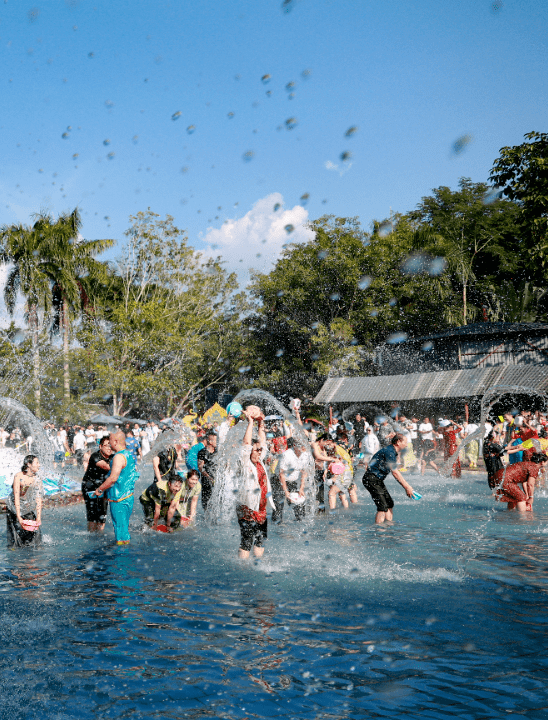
412 77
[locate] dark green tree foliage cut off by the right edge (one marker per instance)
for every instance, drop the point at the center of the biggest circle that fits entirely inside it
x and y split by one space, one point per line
522 172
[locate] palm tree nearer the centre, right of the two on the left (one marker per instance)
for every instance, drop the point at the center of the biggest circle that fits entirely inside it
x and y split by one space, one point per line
71 265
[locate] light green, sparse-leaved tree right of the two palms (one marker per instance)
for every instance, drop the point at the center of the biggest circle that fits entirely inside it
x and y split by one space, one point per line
160 325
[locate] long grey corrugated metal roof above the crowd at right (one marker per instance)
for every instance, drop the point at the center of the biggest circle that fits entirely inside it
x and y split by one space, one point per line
419 386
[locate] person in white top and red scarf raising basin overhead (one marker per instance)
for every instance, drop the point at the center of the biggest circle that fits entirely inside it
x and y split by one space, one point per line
254 490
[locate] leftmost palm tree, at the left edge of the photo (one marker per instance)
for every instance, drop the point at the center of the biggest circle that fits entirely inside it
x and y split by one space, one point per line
23 246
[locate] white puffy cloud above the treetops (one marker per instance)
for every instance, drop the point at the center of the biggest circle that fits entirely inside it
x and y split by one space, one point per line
255 241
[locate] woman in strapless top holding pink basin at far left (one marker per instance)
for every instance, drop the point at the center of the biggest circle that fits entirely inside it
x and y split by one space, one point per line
24 506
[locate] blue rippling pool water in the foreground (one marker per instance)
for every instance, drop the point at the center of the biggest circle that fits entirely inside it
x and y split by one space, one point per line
441 615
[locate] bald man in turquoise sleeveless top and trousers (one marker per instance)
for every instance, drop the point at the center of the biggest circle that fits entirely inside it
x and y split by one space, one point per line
120 485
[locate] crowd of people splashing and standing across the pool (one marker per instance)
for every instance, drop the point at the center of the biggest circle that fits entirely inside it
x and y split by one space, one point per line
304 470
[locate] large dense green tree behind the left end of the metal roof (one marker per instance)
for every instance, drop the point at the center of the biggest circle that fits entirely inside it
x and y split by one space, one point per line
327 303
